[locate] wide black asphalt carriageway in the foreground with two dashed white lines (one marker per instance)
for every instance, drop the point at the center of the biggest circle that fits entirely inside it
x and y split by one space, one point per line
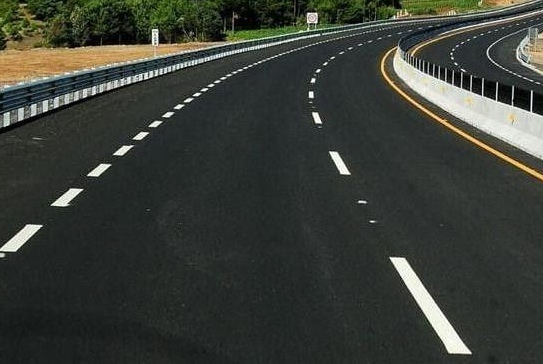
279 206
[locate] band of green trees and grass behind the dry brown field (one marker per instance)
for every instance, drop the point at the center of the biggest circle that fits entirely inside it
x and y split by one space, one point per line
97 22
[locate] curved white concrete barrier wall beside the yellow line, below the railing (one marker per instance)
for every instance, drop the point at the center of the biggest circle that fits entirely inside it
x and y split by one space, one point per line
515 126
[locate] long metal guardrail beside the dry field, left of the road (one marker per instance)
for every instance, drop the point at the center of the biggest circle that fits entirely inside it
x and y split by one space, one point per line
24 101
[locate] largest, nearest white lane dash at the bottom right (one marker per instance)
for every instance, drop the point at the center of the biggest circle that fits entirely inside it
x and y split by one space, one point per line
453 343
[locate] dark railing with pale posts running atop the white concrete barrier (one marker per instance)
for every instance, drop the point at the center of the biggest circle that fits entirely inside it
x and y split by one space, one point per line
508 94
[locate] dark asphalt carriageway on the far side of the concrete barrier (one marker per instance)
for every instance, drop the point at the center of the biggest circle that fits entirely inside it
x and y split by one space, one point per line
489 52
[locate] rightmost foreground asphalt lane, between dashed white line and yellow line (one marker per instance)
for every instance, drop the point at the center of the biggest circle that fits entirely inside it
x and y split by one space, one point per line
468 223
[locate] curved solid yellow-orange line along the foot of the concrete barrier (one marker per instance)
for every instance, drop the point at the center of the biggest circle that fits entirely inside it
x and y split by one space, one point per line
448 125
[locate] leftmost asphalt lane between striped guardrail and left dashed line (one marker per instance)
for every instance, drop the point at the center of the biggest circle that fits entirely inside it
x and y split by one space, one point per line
40 161
